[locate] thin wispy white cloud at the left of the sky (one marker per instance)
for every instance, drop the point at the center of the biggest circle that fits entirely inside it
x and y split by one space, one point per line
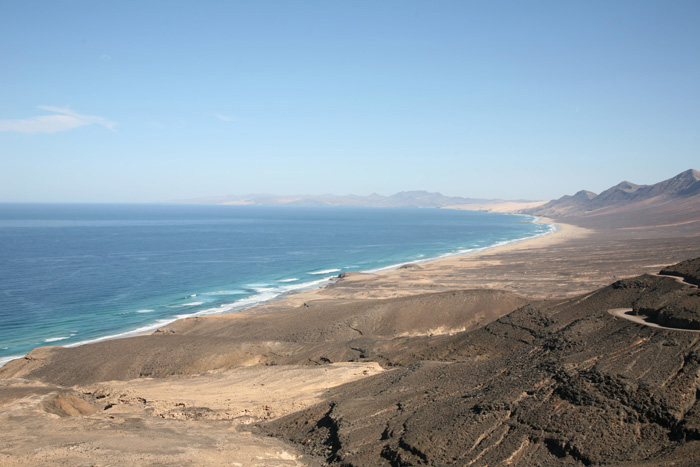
65 119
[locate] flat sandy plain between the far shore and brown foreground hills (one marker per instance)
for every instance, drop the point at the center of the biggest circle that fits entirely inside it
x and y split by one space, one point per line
564 263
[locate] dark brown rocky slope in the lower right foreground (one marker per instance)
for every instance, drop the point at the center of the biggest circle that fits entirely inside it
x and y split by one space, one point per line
552 383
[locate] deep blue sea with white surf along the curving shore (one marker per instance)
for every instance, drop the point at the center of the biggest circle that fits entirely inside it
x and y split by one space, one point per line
71 274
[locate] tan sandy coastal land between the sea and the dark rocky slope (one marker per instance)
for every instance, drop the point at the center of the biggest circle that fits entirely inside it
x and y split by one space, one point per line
191 393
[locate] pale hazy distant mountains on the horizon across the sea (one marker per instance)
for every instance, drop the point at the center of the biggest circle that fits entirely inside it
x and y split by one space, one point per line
417 199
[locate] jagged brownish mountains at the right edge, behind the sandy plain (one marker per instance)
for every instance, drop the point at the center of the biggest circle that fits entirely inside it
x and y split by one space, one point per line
672 202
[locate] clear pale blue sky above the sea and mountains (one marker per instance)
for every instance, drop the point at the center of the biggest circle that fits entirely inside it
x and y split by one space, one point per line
121 101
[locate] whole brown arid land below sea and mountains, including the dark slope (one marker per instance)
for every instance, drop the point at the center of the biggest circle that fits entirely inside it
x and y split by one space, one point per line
510 356
